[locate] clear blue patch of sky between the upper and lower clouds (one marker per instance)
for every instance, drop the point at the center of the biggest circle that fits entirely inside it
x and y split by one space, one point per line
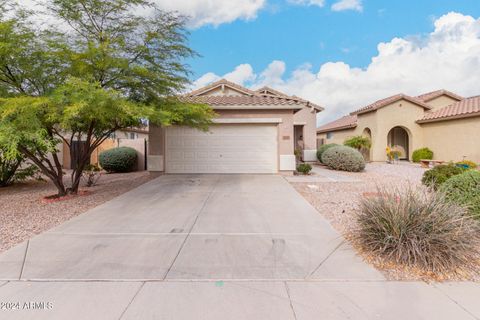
311 34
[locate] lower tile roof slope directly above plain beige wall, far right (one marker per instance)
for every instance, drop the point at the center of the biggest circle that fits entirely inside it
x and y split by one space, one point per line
469 107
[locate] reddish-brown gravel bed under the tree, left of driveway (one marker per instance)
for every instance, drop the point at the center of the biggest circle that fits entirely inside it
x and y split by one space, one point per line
25 213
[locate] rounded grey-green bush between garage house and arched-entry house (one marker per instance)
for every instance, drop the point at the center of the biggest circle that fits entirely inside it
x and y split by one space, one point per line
344 158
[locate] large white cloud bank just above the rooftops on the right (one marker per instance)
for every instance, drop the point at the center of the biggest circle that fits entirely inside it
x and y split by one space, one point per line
448 58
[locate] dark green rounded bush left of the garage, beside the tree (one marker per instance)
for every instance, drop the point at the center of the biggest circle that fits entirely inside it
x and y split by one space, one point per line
123 159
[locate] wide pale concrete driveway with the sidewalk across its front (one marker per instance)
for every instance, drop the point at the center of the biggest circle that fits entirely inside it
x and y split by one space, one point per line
210 247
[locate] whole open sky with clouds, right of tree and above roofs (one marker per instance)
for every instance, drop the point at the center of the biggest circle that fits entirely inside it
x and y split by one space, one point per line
341 54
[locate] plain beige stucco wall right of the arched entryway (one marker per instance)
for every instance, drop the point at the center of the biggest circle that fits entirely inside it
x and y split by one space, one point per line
454 139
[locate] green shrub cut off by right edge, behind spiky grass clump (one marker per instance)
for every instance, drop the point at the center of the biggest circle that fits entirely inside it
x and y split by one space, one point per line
464 190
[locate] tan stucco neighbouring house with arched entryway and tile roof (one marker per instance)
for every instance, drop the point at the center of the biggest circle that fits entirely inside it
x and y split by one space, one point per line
444 122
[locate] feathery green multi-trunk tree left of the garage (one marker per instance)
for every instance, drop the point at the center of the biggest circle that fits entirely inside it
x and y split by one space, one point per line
121 69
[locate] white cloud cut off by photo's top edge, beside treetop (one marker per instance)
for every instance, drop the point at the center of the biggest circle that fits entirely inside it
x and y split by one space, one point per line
201 12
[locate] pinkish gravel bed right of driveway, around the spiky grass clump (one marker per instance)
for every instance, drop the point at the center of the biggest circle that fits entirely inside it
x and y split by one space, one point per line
337 200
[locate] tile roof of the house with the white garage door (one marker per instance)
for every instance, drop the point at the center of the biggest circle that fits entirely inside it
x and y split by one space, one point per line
249 97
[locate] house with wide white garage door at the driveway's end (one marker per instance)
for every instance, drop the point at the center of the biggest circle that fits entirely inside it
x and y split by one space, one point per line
254 132
